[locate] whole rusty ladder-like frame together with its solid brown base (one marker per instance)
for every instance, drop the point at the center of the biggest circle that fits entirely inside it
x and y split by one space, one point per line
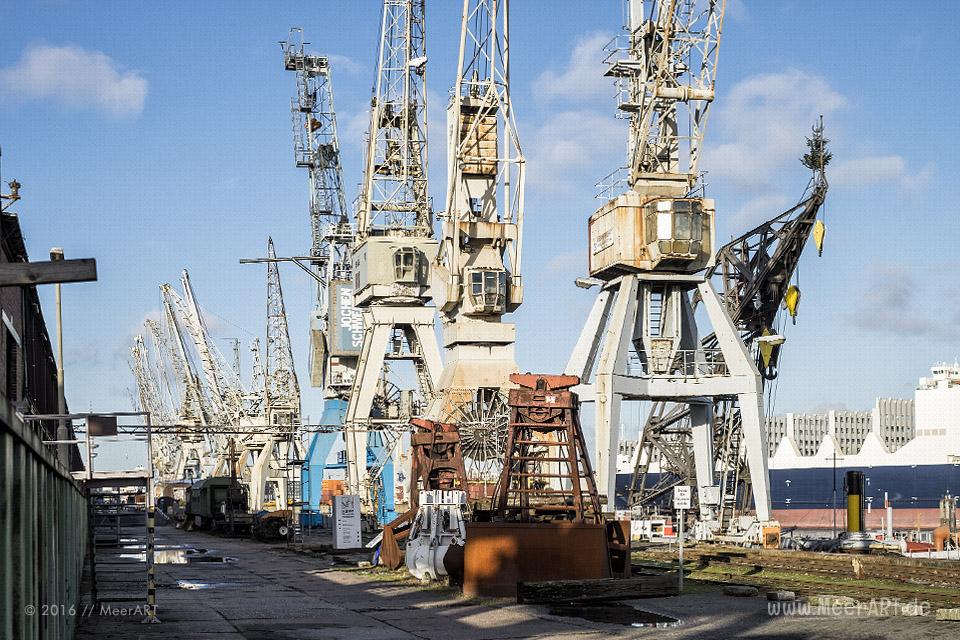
546 523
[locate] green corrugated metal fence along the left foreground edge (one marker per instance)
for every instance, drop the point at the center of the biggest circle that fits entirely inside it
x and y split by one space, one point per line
43 537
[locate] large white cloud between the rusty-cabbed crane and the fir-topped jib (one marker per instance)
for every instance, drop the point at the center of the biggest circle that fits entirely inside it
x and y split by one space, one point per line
762 122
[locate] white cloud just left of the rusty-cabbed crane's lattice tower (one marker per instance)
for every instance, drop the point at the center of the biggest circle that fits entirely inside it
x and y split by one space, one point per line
582 80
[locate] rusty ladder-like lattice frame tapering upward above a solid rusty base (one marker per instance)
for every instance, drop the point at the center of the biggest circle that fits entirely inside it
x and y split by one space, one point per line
546 472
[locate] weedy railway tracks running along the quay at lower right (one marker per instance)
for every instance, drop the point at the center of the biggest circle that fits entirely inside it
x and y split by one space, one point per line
809 573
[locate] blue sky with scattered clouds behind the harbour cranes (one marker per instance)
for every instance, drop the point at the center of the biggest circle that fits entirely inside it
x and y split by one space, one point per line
156 137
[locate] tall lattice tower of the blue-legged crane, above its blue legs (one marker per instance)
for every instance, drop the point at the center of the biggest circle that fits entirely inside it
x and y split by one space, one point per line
317 149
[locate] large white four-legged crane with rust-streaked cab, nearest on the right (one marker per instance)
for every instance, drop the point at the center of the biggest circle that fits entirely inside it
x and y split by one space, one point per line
649 249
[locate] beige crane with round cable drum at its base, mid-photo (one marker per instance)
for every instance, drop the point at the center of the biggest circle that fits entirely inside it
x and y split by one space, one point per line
477 272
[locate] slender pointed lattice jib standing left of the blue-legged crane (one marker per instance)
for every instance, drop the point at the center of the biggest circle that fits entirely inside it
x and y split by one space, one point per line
282 388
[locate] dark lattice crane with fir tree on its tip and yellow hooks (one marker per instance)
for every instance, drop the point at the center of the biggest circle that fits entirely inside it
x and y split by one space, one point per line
756 273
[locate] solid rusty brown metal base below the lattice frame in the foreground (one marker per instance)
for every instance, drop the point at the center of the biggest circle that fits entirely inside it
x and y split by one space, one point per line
498 555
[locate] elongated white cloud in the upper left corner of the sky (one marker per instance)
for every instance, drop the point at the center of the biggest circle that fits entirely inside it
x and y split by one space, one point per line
75 77
